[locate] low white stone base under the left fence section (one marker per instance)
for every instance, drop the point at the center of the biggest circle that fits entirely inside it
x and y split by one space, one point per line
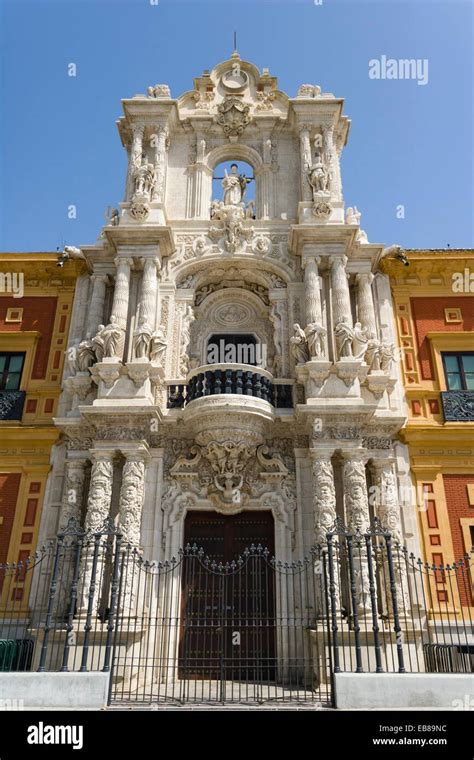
23 691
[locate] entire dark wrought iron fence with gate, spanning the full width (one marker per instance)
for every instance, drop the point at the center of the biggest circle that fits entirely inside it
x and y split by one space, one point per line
249 631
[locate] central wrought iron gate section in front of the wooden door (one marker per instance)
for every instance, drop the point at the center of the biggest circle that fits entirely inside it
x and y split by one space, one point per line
195 630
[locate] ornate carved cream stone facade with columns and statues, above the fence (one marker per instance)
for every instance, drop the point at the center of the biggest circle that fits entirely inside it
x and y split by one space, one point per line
173 268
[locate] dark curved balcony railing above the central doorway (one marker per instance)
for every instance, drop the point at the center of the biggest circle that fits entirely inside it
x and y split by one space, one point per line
243 380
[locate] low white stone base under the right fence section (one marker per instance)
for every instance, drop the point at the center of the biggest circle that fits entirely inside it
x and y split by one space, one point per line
402 690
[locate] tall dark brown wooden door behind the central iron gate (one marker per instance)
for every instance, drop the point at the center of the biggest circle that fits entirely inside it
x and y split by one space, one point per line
228 613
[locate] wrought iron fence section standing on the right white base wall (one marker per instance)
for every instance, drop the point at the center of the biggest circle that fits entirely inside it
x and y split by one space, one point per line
392 612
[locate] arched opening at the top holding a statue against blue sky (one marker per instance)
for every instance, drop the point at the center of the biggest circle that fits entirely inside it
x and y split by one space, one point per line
233 183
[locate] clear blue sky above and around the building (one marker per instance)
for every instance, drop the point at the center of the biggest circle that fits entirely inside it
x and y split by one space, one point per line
409 144
